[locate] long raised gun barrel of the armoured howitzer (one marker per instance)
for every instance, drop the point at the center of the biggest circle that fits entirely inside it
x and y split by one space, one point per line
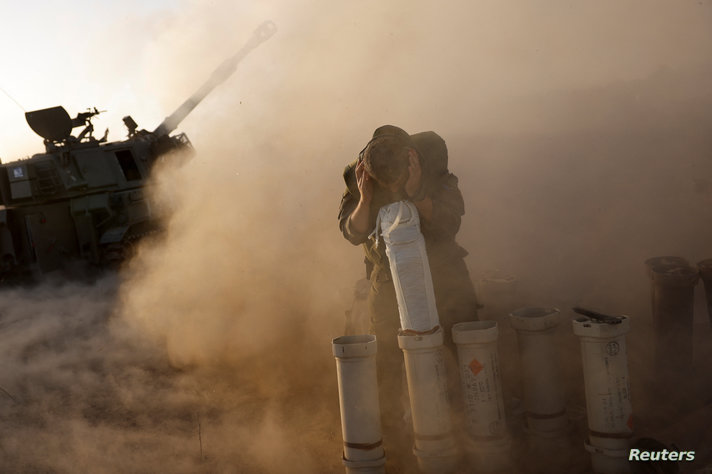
225 70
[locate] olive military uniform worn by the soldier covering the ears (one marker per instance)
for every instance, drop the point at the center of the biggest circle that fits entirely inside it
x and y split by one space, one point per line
454 292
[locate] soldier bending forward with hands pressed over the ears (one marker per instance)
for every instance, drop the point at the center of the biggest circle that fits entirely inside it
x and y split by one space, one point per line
396 166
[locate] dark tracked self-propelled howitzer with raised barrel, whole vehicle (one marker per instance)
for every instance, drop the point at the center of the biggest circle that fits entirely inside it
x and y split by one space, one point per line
85 199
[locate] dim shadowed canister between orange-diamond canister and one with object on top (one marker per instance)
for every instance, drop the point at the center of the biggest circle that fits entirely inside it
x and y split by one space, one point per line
542 380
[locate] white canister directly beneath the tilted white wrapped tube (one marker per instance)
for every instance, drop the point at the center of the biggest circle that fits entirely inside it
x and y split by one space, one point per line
435 446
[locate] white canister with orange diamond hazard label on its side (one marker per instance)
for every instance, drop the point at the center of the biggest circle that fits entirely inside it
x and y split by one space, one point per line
488 447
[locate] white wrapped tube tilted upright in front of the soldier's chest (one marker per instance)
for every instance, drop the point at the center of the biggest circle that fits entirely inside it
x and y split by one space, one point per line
405 247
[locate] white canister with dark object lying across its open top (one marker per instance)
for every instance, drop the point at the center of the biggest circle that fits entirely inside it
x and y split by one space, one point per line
605 373
